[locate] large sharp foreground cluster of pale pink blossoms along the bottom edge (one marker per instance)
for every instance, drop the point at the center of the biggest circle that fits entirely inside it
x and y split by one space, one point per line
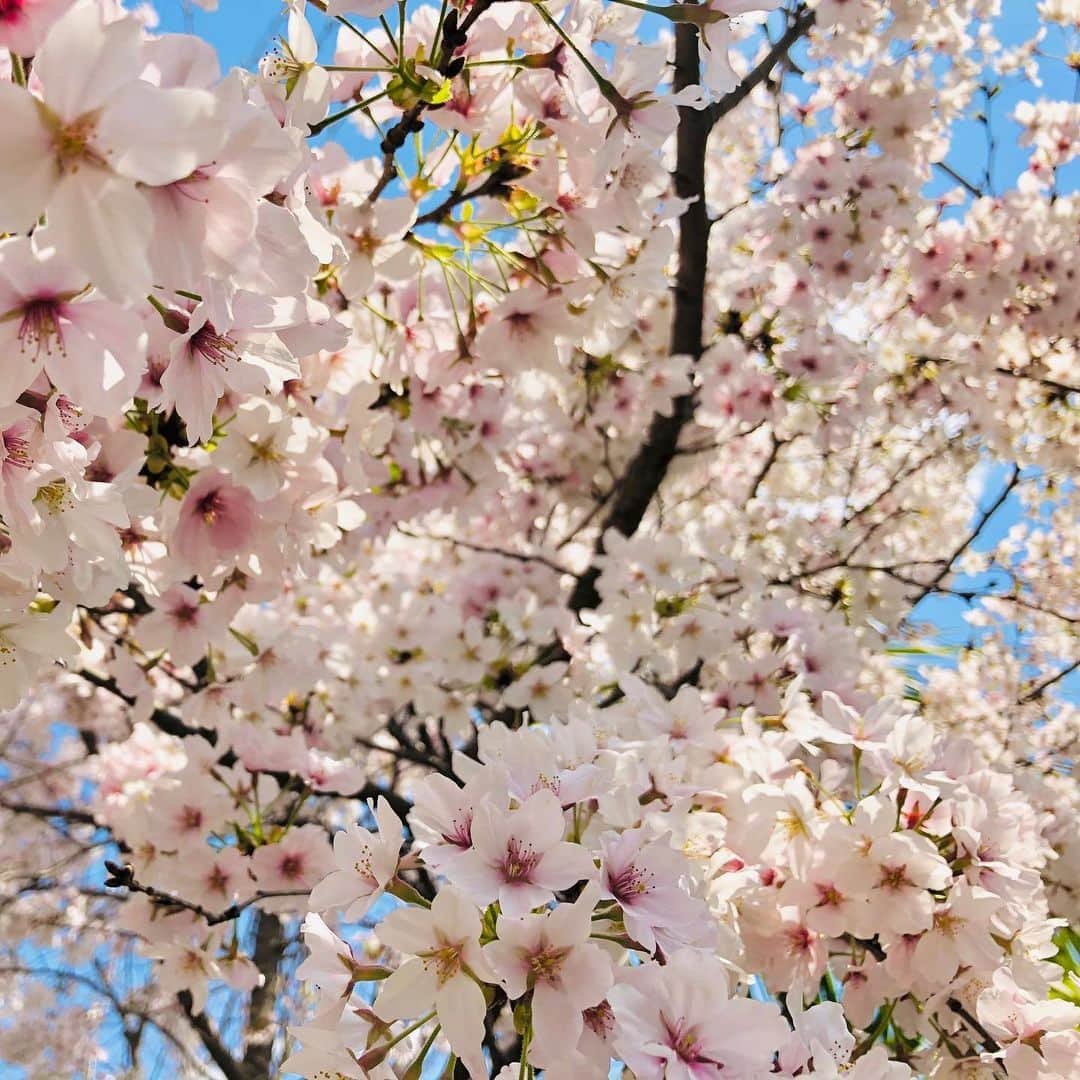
856 848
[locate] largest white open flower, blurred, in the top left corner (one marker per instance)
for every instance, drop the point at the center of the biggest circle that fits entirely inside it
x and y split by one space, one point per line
98 132
